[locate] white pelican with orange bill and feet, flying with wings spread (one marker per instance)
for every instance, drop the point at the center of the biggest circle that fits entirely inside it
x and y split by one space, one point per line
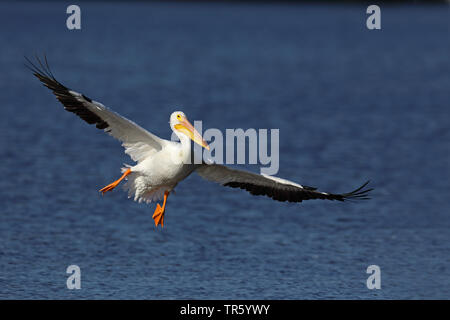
161 164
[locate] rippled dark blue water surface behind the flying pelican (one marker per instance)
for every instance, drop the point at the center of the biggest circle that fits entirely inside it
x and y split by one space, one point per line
351 104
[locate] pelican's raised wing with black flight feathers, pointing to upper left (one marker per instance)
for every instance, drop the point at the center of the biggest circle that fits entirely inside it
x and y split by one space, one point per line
138 142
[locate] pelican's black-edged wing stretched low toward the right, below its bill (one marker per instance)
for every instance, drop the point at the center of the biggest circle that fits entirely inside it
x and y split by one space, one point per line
273 187
